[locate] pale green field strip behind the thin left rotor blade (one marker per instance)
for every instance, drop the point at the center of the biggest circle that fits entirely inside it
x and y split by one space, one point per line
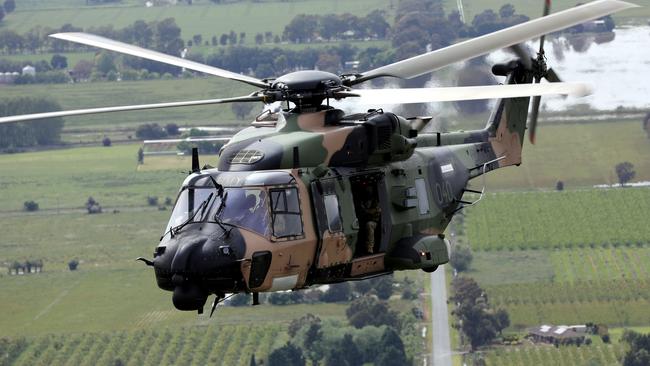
89 95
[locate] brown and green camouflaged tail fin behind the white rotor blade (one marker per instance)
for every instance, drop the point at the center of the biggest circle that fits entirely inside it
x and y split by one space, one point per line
507 124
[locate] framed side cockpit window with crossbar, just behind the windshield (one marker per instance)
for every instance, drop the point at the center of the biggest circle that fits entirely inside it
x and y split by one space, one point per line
285 209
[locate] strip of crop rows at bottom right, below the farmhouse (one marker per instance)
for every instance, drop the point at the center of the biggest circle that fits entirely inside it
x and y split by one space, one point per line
603 354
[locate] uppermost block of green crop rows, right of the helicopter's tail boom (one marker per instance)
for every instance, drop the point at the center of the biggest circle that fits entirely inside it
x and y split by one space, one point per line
568 219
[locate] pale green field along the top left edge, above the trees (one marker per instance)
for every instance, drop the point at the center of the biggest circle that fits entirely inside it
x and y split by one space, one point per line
202 18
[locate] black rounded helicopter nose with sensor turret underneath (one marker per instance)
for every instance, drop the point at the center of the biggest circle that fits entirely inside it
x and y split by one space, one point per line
194 268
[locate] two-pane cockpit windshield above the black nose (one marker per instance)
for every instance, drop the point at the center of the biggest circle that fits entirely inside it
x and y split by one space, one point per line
242 207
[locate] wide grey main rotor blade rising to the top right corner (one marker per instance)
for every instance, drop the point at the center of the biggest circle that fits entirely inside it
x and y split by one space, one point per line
431 61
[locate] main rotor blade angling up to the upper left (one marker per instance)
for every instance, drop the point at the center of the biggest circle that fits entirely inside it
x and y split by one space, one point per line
109 44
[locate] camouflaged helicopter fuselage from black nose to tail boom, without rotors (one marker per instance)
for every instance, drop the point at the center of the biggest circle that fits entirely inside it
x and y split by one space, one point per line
316 198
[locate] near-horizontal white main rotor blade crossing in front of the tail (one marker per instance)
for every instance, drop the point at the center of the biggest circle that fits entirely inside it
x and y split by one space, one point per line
428 95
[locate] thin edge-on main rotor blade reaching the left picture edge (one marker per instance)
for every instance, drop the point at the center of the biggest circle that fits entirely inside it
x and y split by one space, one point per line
79 112
